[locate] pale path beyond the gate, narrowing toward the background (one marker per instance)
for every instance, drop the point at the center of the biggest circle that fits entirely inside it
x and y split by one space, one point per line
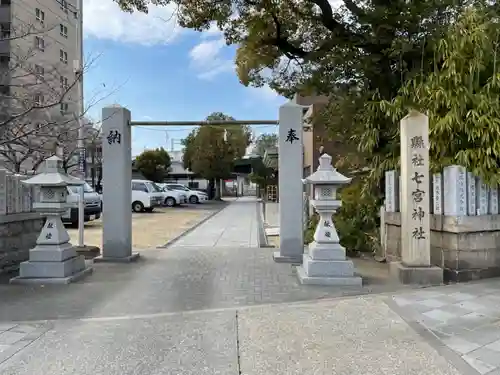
235 226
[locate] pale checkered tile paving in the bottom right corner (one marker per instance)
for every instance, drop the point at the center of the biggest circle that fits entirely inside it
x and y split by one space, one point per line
465 318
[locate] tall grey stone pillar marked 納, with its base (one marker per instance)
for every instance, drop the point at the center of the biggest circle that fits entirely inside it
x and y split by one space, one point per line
116 182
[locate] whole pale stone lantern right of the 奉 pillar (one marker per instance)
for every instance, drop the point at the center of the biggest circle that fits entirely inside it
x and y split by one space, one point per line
326 263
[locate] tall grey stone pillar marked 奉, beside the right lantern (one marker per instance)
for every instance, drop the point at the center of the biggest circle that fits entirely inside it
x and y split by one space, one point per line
290 164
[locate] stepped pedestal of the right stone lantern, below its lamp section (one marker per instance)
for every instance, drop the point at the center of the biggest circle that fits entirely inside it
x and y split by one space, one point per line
326 263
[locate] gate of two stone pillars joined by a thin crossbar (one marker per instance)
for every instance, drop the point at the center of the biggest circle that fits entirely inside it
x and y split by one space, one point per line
117 175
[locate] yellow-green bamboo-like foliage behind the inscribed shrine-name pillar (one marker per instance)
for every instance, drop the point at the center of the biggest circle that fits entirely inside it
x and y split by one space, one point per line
460 96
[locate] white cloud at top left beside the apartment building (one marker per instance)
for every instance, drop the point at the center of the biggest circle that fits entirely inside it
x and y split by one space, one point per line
105 20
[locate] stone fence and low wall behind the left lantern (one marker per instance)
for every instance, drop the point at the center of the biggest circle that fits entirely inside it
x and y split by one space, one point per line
19 224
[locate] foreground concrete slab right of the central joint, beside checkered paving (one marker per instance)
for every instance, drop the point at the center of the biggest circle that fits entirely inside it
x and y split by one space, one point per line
349 336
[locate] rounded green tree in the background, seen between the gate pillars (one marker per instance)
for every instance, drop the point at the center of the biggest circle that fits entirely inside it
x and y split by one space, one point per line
210 151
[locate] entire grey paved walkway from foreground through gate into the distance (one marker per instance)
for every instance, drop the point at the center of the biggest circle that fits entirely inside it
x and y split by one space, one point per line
232 310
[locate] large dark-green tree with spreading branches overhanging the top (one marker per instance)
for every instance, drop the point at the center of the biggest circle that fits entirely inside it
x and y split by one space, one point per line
356 51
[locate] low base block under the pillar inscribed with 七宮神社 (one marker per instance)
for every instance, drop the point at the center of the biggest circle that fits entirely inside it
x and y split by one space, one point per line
416 275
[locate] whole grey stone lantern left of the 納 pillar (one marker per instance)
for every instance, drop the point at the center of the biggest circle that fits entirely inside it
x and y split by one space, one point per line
54 258
